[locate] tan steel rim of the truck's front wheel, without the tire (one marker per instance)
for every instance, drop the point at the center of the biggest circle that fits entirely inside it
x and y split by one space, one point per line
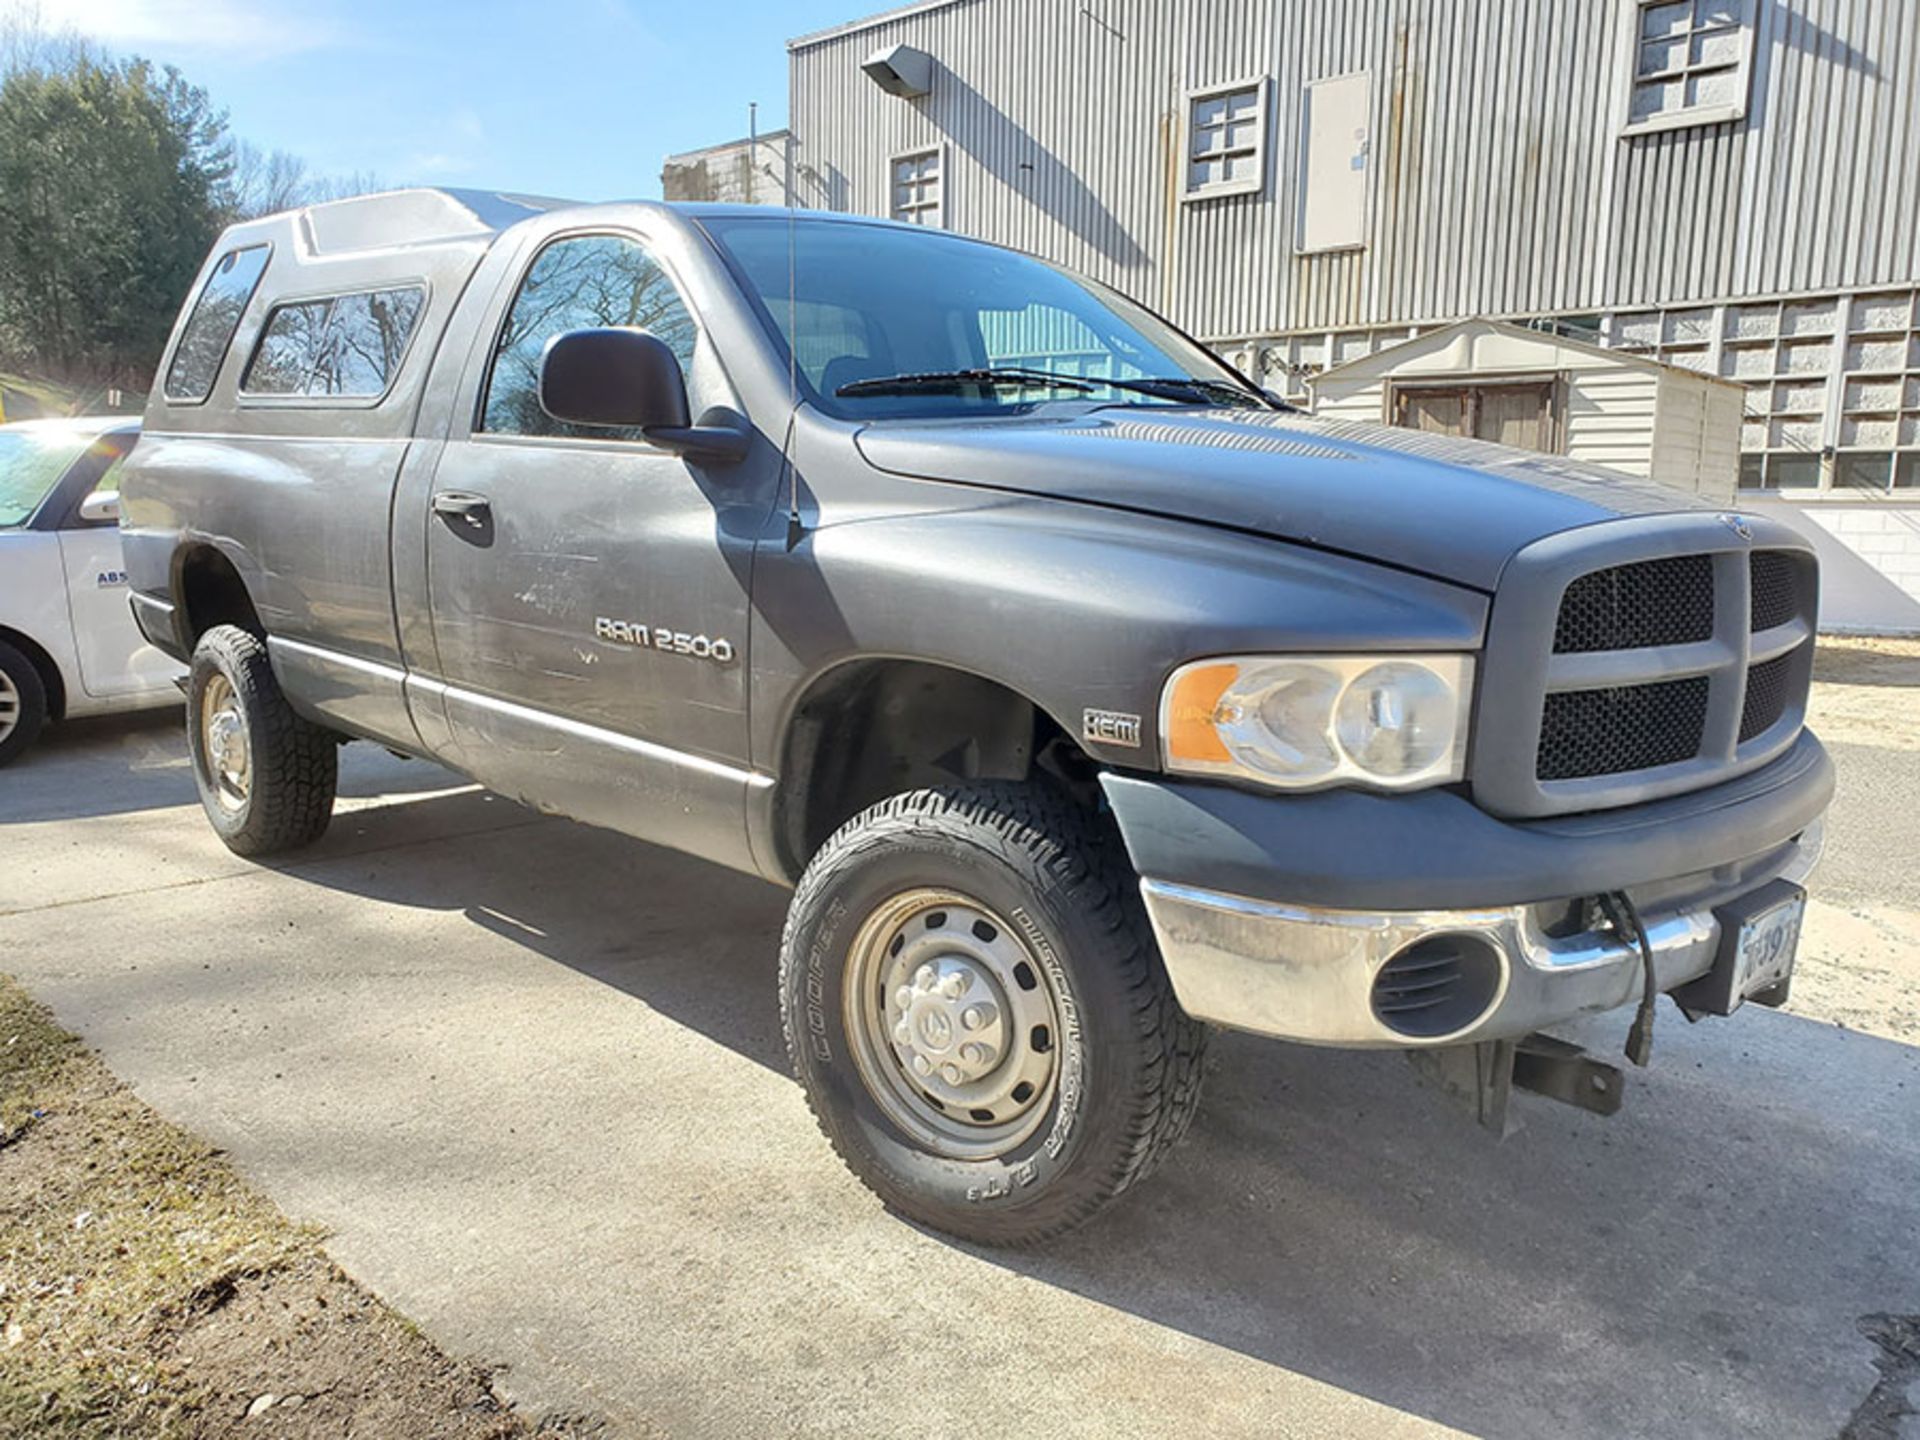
955 1024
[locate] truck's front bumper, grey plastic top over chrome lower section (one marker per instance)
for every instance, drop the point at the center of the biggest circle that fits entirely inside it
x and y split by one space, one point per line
1278 959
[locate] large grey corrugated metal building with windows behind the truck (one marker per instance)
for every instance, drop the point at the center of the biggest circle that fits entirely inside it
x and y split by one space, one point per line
1721 185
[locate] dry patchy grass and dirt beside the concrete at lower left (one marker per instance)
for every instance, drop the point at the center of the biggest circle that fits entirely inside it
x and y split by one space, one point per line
149 1291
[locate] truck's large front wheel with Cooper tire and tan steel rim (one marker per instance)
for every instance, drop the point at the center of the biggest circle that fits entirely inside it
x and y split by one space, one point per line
978 1013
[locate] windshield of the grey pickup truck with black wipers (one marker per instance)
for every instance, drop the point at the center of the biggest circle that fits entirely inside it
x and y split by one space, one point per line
884 320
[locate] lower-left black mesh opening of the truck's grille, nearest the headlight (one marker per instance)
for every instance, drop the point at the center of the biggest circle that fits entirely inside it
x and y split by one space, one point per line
1602 732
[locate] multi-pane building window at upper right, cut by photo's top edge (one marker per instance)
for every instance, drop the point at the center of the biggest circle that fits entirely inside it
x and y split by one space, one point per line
1691 62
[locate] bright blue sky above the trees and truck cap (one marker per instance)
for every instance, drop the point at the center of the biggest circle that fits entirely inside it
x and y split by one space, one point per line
577 99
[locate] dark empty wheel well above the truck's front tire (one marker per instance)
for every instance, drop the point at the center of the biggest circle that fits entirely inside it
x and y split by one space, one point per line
876 729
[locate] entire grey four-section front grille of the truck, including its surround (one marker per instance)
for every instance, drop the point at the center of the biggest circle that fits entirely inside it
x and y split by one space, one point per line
1625 663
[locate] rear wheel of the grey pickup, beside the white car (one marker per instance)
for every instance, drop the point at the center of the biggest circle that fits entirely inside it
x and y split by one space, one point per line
266 775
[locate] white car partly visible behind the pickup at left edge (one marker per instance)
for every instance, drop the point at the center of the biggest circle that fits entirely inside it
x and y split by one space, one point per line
68 642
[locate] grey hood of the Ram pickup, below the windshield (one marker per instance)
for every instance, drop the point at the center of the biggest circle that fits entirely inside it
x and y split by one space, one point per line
1454 510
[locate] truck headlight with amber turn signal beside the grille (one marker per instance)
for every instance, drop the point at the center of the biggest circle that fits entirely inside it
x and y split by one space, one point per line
1310 721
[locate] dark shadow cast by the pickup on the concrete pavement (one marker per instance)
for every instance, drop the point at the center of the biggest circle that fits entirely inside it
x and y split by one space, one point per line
1694 1266
